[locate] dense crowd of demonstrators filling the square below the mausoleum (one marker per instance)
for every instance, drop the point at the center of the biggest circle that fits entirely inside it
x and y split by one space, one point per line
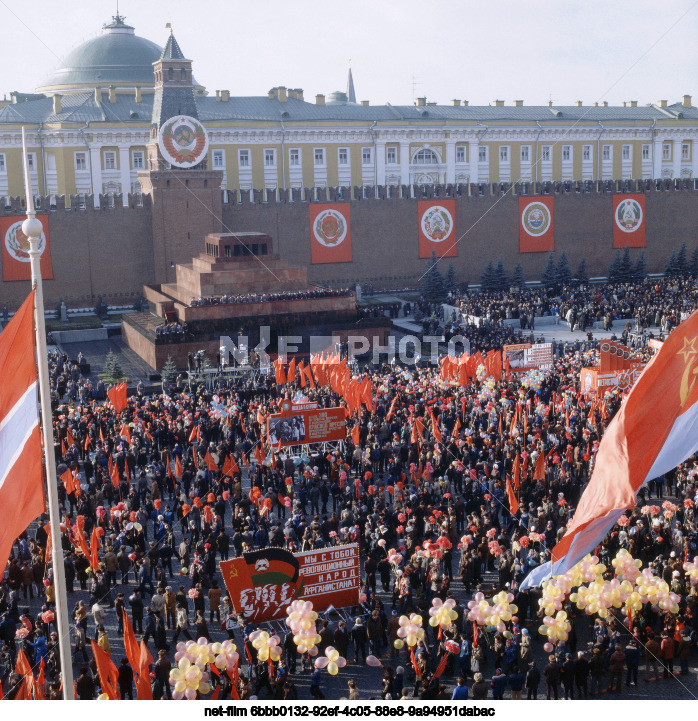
141 481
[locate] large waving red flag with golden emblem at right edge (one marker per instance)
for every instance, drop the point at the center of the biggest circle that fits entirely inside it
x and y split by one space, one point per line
655 429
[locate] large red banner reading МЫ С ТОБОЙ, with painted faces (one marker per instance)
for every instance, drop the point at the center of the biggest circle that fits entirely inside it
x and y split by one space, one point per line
263 583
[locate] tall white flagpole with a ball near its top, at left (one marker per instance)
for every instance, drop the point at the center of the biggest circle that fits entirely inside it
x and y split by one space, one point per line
32 228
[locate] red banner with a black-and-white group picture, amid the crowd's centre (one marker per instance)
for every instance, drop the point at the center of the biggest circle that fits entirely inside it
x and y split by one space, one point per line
308 425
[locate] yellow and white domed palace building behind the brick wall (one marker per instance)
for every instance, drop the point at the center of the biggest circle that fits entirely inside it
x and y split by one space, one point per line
89 124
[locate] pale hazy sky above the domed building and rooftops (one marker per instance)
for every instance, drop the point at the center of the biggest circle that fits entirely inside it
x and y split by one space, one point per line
535 51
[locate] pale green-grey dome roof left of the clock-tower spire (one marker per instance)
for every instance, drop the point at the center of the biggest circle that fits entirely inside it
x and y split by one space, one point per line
116 57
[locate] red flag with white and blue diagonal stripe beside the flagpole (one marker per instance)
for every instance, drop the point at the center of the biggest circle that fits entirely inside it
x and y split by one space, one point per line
21 479
